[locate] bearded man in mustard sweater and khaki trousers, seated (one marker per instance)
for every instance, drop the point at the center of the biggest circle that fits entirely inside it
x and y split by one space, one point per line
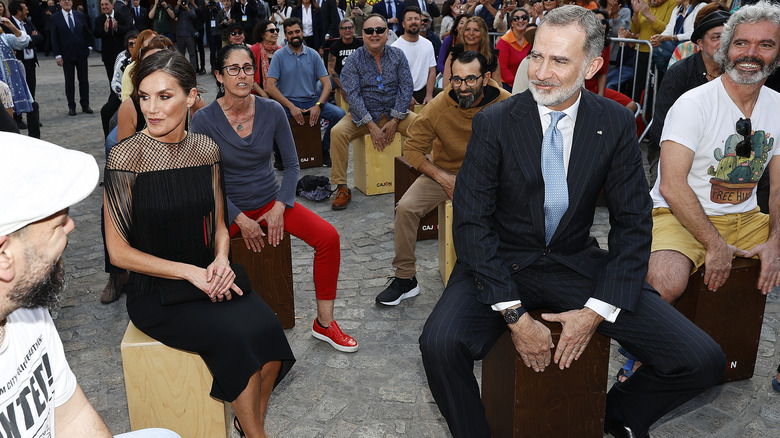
443 129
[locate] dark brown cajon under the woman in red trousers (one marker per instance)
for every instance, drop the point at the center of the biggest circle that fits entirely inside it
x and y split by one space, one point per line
270 272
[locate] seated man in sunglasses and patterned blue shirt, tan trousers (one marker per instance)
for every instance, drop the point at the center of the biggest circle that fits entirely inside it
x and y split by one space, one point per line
378 86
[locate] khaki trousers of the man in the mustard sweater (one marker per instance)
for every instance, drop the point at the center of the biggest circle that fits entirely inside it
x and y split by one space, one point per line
423 196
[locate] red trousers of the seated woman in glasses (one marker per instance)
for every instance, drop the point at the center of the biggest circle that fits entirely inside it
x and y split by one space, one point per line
304 224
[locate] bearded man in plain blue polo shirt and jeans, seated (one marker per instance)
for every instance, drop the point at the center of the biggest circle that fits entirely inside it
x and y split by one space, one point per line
292 81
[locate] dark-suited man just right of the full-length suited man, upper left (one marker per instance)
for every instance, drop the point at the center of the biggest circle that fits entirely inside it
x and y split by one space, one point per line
111 27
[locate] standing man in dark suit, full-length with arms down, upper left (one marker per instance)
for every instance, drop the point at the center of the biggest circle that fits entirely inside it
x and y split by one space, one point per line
71 40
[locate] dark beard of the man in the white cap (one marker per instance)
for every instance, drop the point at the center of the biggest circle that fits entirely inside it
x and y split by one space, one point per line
42 285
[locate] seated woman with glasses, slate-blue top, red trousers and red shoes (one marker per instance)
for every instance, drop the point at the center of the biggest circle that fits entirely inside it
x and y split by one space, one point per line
245 128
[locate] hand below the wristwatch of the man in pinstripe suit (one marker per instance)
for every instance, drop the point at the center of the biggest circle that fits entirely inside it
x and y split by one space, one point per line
533 342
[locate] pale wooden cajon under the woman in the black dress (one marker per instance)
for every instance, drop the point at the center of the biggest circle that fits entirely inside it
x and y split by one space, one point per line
169 388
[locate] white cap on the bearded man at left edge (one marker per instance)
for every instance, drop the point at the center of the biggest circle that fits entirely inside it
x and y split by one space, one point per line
38 179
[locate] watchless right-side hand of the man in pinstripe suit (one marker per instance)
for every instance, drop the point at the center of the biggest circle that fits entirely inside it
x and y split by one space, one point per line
578 328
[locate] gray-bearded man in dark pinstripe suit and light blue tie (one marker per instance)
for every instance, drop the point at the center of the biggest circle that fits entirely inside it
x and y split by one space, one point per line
515 254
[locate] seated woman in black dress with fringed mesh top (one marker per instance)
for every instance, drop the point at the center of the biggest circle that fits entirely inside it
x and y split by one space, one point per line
165 223
